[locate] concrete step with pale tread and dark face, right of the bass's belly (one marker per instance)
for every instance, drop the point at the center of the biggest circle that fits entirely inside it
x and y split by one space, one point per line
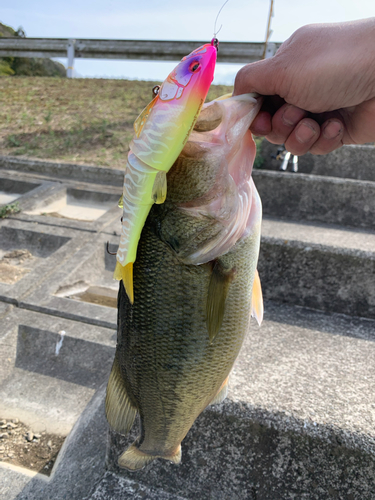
318 266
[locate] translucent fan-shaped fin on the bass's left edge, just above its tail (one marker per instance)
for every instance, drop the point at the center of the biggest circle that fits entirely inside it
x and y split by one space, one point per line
119 410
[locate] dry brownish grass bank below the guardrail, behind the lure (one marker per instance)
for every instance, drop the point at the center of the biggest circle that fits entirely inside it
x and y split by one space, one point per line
88 121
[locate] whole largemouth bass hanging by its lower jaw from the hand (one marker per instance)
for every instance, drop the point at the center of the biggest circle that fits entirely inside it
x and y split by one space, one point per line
196 284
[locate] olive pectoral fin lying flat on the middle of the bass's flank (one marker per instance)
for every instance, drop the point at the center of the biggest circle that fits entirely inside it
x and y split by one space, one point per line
217 294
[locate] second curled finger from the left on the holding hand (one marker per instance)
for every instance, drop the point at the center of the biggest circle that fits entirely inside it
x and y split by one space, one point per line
283 123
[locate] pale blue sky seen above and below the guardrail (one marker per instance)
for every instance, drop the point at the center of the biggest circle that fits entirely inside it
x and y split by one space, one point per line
241 20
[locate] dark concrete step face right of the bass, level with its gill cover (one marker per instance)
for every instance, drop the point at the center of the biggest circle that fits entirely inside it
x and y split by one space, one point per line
317 198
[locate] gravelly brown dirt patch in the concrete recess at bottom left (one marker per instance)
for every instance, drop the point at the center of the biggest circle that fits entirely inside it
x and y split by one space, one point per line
20 446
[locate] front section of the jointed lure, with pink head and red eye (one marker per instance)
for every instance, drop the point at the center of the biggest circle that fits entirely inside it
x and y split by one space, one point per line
164 126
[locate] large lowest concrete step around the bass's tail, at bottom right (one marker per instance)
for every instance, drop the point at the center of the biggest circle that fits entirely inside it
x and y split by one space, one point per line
298 423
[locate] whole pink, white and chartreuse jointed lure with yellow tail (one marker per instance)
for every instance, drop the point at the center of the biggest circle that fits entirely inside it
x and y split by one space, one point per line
161 131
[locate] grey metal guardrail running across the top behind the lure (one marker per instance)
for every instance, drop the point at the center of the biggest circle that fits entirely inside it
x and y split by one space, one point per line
161 50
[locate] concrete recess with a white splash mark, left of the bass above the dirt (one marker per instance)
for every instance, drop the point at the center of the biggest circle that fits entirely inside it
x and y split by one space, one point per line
50 368
